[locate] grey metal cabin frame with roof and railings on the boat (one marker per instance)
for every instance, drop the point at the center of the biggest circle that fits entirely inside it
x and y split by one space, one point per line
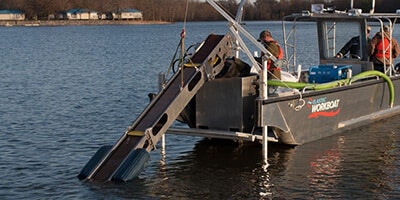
329 35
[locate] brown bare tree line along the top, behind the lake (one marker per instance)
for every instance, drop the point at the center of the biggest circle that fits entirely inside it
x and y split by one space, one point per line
198 10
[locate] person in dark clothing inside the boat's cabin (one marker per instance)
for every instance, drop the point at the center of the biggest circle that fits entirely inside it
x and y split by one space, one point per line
353 46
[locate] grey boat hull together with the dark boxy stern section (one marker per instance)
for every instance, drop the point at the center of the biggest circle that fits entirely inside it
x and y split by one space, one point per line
232 104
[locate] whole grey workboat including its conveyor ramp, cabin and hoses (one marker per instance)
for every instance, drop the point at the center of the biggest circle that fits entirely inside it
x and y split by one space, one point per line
219 94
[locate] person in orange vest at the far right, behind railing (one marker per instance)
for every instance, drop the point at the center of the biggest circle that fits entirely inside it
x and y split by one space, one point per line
380 56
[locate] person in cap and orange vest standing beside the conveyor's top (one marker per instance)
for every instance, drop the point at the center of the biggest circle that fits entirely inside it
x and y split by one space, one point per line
272 46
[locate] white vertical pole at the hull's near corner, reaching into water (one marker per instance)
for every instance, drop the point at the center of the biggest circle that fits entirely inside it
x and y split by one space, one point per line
264 96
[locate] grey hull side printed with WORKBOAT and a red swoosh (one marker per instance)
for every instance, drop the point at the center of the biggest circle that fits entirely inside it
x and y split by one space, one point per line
318 114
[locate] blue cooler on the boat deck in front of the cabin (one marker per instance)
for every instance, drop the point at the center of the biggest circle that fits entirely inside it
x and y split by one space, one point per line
327 73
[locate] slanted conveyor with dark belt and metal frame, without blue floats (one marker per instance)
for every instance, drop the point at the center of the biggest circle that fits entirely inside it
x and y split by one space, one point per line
155 120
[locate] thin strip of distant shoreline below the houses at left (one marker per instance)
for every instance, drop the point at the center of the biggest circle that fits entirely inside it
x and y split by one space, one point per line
75 22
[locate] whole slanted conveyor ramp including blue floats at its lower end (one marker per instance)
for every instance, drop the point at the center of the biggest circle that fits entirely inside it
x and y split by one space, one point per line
127 158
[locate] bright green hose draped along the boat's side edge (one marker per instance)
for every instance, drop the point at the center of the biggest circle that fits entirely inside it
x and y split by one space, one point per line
337 83
